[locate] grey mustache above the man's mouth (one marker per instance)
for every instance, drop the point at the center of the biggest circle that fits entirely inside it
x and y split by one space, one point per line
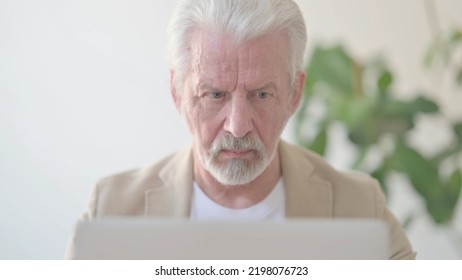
229 142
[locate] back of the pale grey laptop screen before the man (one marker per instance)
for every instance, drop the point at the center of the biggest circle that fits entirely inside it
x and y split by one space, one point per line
296 239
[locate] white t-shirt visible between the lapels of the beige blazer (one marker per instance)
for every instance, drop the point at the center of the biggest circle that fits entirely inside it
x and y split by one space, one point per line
272 208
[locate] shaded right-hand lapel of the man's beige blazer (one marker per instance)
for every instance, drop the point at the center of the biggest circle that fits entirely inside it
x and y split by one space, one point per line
306 195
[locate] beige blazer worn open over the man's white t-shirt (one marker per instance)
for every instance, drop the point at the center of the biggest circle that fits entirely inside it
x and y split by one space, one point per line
313 190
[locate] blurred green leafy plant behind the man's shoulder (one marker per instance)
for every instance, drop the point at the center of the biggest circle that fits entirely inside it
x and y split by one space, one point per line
360 97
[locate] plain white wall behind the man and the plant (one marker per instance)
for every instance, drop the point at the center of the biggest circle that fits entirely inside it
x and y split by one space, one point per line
84 93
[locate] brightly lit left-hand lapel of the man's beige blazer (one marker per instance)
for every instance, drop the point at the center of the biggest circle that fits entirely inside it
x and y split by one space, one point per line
172 197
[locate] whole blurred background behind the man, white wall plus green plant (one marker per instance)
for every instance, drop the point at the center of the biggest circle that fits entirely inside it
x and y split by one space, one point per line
84 93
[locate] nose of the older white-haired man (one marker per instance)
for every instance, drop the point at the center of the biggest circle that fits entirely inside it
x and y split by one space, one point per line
239 119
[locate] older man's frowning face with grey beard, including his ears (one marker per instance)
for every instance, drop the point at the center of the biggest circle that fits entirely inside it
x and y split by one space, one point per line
236 101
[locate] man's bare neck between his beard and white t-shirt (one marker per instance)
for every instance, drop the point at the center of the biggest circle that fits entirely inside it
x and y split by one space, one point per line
242 196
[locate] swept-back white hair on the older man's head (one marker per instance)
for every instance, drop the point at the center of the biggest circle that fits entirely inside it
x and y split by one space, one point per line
243 20
